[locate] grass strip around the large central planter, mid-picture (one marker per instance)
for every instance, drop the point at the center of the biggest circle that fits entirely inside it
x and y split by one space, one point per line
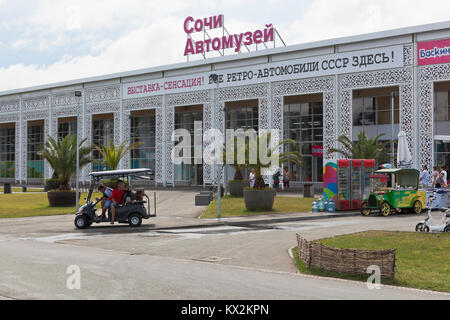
235 207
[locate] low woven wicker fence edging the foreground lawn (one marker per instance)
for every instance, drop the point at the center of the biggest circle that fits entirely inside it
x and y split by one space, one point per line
348 261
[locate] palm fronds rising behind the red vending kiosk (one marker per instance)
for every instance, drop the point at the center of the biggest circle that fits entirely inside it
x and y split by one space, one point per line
364 148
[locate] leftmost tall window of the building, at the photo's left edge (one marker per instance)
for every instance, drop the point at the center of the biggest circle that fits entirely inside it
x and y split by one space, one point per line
7 152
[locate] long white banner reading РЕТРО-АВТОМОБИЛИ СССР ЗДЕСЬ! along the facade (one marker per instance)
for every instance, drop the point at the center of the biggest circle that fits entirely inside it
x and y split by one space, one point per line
341 63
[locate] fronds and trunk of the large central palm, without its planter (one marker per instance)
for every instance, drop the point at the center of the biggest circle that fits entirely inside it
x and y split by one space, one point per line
293 156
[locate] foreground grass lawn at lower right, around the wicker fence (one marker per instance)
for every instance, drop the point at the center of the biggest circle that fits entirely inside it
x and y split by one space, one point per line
423 260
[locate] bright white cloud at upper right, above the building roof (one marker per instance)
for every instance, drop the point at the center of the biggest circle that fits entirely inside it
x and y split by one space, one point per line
325 19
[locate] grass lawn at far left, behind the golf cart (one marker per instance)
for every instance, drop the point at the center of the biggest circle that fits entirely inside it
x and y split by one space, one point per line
31 205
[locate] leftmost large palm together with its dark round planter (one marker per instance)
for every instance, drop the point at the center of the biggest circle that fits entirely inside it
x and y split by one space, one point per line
61 154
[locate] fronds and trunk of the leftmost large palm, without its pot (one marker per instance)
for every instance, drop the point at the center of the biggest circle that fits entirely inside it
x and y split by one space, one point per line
61 154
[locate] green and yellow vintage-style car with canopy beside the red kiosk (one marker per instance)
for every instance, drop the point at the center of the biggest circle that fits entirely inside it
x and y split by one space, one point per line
394 190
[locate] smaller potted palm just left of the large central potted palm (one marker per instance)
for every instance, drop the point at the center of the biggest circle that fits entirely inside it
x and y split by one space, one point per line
238 183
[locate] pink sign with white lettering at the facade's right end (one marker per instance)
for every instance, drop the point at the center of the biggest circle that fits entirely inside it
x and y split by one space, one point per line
434 52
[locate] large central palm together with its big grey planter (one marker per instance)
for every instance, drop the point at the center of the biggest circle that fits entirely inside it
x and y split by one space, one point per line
260 197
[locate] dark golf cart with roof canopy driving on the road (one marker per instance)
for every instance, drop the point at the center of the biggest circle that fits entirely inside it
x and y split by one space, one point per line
131 211
